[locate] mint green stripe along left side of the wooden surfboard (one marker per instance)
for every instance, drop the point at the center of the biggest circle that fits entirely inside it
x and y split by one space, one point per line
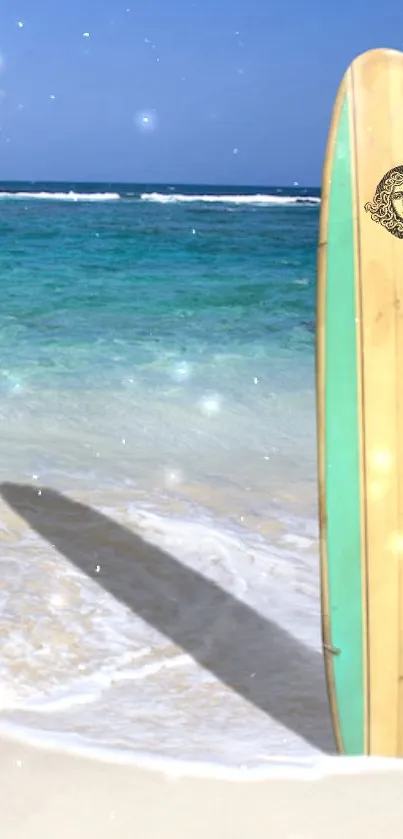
342 450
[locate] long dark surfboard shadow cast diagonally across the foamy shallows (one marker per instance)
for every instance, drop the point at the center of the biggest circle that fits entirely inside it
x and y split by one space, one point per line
250 654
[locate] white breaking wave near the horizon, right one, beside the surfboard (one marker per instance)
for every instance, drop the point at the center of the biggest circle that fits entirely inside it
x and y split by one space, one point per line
258 199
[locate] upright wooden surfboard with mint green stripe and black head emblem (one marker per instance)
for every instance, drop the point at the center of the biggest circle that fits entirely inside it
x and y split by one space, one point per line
359 357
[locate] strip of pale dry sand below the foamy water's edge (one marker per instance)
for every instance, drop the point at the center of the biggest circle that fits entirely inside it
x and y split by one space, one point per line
44 793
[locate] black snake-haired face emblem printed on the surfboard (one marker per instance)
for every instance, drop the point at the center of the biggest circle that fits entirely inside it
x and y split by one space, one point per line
386 207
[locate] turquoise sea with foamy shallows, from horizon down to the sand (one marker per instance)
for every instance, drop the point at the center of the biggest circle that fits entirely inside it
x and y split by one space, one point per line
157 366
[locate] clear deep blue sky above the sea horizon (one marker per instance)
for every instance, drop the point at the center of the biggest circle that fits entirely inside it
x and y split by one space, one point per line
235 91
